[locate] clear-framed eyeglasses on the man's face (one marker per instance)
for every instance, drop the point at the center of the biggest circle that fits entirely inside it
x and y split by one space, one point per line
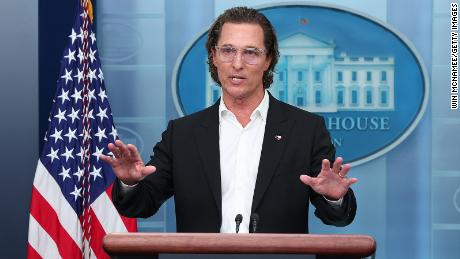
251 56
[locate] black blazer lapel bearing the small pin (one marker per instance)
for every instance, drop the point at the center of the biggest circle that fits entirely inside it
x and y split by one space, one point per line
275 137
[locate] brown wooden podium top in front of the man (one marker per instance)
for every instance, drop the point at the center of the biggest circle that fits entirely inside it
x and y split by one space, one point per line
323 246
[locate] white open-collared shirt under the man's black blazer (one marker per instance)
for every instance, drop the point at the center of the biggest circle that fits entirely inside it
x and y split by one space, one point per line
240 149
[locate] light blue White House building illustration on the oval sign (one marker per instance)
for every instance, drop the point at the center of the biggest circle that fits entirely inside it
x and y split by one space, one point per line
309 76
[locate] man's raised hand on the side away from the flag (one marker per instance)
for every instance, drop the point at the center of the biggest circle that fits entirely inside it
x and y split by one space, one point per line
333 182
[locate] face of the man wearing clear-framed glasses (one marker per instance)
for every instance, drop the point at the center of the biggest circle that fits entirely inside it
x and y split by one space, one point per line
239 79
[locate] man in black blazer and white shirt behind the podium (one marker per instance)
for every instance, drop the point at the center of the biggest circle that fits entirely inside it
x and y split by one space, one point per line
248 153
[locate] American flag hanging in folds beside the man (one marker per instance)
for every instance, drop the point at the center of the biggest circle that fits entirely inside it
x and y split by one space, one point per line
71 208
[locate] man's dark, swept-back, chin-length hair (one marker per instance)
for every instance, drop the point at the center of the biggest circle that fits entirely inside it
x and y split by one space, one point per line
244 15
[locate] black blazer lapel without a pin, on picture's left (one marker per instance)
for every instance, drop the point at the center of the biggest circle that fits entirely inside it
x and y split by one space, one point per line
207 137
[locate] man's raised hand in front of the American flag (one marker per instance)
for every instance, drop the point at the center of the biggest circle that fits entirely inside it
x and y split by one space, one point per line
127 164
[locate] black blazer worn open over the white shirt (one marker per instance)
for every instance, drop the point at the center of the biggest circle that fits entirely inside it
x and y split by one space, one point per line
188 167
